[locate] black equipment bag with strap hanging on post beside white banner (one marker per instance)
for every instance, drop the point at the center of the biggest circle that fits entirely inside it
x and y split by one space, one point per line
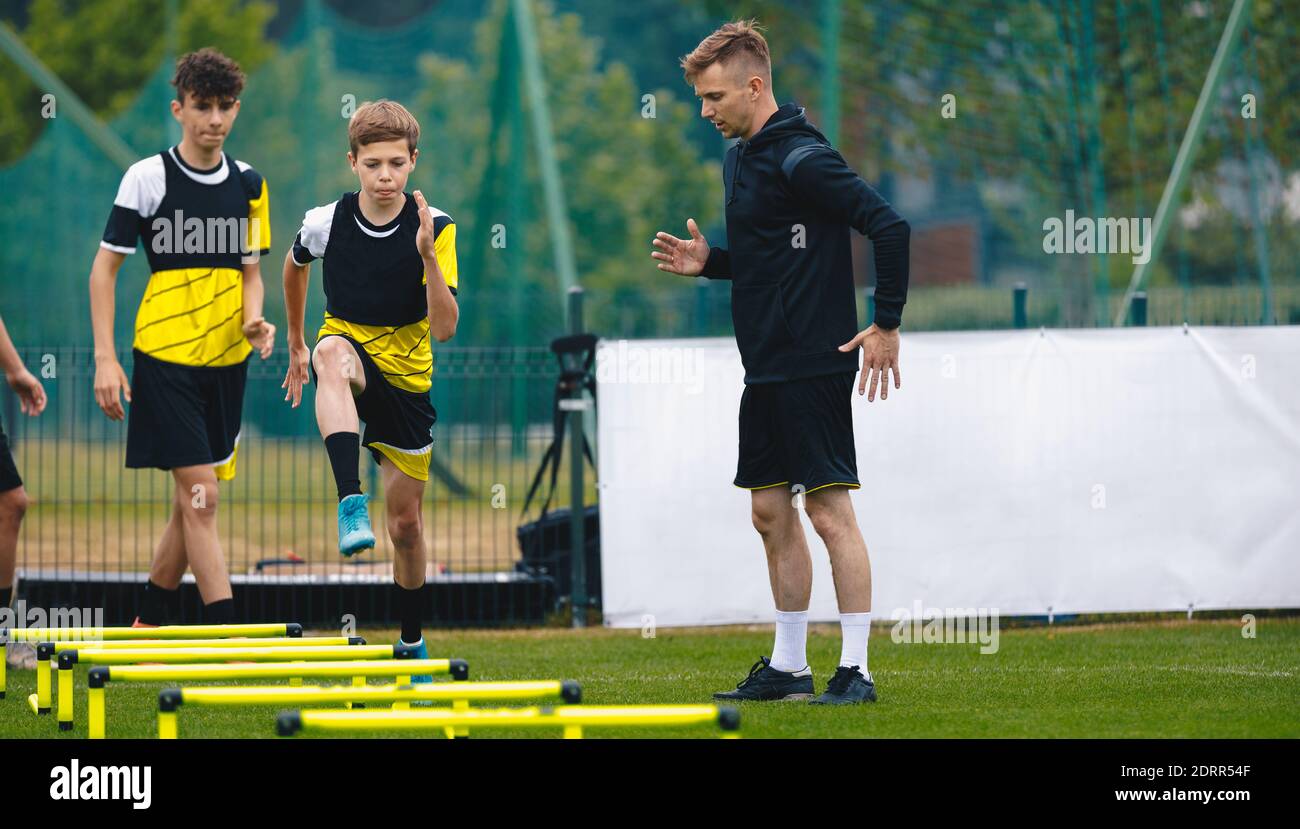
547 544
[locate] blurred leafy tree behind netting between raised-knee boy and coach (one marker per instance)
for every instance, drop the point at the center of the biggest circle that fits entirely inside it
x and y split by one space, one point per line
625 176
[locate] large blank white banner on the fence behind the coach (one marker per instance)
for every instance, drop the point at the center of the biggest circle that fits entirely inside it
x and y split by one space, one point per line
1033 472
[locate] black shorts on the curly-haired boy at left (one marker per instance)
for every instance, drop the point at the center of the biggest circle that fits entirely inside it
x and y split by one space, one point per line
185 415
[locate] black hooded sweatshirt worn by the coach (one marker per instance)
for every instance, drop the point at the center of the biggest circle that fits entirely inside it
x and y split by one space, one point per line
791 202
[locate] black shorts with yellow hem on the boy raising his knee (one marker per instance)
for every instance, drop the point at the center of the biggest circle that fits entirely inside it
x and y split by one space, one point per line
398 423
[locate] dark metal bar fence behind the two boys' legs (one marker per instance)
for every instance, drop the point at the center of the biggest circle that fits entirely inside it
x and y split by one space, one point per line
93 527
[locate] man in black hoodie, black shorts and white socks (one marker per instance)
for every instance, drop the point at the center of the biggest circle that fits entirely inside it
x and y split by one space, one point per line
791 203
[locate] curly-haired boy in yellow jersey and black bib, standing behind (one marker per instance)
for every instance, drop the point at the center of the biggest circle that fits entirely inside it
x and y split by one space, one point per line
203 218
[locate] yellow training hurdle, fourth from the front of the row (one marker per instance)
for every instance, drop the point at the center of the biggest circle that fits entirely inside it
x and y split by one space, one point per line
198 656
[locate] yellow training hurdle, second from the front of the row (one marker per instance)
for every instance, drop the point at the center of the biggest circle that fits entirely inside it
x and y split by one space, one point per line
460 695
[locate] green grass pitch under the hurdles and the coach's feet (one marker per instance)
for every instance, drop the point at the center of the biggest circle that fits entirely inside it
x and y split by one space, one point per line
1154 679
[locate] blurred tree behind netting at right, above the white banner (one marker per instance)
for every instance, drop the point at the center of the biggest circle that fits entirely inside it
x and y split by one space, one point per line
1065 105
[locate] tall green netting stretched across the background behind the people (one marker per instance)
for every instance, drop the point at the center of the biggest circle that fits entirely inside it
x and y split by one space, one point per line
1060 105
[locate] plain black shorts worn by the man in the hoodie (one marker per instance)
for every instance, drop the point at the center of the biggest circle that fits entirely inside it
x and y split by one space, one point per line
798 433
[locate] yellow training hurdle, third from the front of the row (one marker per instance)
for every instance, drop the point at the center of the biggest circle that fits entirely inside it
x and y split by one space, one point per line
357 670
